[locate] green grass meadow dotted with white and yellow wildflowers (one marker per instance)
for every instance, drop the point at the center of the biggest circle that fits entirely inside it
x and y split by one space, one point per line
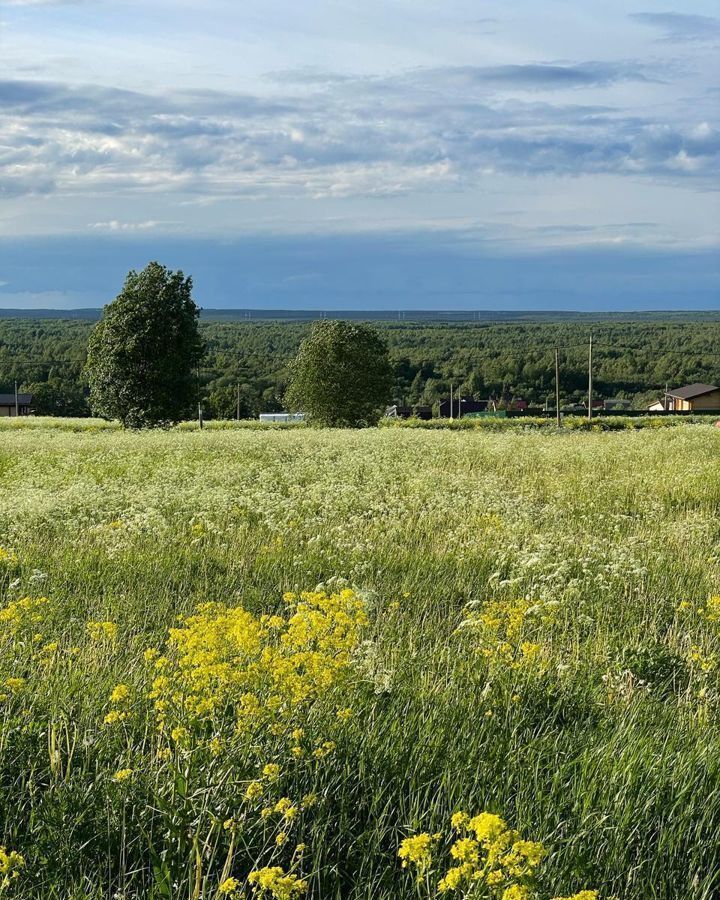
519 623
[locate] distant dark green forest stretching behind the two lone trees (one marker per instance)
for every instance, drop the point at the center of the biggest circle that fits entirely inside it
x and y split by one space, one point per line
634 358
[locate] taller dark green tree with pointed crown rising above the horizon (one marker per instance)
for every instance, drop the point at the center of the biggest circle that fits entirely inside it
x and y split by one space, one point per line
143 353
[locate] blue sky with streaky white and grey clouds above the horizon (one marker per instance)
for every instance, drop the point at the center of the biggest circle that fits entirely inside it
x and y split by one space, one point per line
366 154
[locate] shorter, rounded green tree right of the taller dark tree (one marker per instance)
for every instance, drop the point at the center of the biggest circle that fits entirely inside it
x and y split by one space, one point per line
342 375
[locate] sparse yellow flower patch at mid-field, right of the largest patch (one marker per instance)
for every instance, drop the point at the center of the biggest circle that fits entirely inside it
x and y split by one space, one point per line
503 627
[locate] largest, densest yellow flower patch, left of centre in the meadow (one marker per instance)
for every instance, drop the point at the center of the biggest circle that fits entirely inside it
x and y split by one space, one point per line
261 670
